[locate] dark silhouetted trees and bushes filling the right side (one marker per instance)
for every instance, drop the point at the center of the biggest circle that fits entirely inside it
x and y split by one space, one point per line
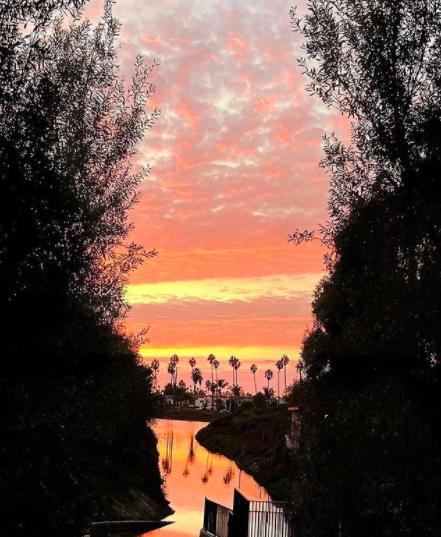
368 437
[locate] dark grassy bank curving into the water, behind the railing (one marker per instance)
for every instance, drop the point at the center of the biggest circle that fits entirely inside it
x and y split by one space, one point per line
247 437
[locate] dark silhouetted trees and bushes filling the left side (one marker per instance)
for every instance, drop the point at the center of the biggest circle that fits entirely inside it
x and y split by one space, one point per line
75 399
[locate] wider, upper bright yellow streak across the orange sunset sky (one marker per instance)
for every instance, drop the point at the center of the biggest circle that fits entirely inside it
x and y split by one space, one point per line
223 290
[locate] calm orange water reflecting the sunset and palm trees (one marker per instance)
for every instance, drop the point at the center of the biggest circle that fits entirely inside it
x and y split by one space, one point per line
191 474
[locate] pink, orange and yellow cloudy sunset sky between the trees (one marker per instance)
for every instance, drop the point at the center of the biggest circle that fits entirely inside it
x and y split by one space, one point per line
234 160
